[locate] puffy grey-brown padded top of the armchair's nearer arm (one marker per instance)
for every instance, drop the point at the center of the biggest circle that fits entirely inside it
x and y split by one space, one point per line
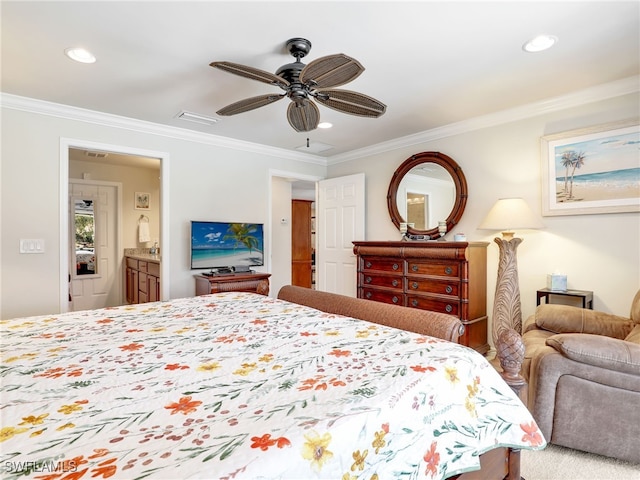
599 351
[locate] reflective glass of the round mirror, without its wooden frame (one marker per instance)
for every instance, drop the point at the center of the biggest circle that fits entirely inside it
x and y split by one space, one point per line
426 196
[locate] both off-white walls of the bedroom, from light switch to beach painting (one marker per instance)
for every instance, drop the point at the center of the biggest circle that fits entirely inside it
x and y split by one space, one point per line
211 180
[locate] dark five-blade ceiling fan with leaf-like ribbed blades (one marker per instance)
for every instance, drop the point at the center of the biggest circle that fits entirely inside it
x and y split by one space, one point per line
302 83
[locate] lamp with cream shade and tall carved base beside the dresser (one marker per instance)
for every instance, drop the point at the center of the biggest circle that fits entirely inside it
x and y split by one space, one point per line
506 215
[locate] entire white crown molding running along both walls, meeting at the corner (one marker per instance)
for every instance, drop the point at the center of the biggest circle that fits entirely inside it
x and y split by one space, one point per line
601 92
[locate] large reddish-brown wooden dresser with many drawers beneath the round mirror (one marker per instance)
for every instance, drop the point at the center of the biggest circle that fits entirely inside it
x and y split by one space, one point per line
449 277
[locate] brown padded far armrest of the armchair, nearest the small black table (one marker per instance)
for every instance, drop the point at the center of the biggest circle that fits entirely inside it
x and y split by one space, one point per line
568 319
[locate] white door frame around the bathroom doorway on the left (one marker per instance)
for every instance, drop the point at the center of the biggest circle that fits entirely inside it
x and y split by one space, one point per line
65 145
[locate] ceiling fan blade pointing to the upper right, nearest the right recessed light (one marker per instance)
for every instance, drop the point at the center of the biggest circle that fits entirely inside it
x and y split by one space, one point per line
331 71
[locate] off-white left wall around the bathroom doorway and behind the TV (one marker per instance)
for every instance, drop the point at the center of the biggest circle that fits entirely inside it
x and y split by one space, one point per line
208 180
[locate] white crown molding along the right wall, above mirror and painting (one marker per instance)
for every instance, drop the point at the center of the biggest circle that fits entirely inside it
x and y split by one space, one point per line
594 94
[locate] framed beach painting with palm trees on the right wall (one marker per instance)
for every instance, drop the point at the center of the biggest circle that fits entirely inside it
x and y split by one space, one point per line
592 171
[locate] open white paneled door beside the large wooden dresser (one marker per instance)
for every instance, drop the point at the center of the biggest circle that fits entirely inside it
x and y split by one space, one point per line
340 215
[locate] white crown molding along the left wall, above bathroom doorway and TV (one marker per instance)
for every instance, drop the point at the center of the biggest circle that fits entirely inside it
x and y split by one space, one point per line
42 107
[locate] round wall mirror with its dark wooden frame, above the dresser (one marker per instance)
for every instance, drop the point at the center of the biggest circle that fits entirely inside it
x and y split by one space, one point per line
428 188
